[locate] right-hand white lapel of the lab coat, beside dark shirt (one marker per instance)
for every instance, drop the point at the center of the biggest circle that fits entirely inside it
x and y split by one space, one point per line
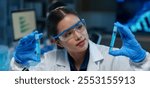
95 58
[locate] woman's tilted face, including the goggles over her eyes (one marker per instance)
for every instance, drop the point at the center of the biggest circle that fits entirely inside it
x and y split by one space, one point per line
74 39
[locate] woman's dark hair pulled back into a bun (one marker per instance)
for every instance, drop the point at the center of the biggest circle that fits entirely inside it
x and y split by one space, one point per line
57 11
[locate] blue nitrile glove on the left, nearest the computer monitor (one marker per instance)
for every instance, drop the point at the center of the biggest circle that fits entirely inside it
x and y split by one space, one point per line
25 52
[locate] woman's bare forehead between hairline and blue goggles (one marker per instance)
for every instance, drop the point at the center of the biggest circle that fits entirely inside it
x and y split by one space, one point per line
67 22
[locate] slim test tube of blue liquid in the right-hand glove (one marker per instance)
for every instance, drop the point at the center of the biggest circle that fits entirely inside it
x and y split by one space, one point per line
113 38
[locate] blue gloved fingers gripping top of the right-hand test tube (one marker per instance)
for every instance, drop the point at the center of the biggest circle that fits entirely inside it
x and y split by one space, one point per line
124 31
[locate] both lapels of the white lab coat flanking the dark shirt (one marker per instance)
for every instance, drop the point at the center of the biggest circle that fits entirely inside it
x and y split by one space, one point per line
94 59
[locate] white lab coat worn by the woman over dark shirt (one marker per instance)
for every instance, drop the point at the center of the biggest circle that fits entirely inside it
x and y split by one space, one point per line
99 59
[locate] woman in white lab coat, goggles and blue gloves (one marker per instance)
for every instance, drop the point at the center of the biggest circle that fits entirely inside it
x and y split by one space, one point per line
79 53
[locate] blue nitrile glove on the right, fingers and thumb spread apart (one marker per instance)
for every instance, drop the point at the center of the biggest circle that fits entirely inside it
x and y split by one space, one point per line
130 46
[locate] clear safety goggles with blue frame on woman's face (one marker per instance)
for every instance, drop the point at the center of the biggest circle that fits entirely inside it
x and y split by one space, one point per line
69 32
